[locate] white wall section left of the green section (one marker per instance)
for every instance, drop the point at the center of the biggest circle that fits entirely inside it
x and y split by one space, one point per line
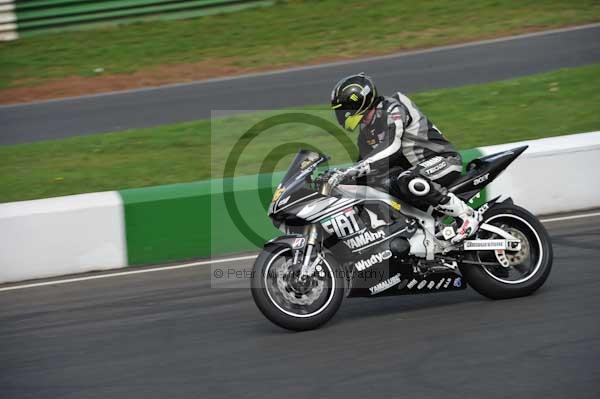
63 235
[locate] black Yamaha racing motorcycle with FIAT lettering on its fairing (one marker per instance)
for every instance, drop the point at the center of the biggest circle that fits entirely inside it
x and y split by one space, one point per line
355 240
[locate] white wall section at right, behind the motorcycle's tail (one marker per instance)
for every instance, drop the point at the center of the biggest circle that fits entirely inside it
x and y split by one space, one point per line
556 174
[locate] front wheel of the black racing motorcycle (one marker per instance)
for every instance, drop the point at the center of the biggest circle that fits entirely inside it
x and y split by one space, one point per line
293 303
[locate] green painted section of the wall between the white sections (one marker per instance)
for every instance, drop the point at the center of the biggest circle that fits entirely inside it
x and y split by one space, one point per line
190 220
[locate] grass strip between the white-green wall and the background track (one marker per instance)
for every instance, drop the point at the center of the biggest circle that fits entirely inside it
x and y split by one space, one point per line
556 103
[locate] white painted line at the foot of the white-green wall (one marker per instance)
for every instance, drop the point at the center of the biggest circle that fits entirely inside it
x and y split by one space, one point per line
214 261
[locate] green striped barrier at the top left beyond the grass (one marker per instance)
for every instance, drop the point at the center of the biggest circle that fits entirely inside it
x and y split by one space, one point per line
29 17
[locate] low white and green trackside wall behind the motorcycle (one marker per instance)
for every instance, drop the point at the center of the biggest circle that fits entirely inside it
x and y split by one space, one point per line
170 223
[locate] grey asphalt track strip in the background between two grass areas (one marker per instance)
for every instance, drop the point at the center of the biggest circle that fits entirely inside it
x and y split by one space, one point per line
443 67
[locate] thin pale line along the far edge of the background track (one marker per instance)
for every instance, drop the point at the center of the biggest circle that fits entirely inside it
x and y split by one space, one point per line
314 66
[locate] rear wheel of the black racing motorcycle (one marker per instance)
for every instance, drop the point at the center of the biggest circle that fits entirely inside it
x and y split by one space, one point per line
526 270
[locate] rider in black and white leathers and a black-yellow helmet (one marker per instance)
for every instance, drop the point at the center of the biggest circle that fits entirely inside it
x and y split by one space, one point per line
394 133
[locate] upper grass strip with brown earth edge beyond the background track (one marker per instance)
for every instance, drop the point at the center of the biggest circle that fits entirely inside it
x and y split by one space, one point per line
292 32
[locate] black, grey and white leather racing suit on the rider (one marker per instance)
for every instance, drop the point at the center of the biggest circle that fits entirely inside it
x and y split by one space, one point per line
399 135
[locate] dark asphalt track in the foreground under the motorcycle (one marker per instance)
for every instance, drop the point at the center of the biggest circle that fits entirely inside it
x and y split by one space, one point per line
168 334
